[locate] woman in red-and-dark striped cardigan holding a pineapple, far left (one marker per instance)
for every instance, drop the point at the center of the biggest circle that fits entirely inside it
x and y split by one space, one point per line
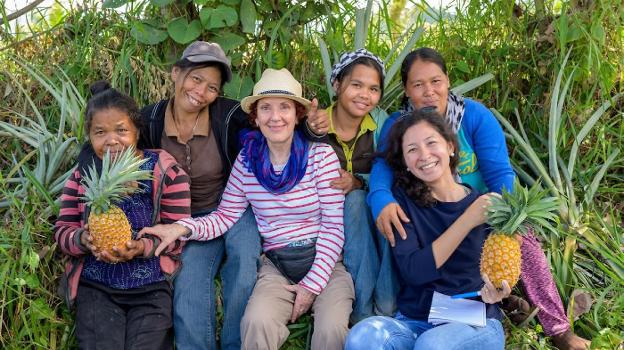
122 299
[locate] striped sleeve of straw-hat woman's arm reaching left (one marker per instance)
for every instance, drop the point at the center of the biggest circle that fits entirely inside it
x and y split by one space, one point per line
232 206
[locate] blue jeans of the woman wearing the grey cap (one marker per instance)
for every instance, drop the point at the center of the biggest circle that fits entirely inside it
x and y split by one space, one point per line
194 318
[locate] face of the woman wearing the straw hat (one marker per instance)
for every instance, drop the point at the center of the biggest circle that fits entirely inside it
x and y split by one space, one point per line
276 117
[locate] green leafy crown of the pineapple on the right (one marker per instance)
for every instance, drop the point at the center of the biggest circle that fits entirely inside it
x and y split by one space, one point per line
516 211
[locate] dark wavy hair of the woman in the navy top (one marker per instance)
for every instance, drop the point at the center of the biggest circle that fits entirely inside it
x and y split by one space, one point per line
413 186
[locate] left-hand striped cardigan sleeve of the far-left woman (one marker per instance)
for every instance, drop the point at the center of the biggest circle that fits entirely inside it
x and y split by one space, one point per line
68 226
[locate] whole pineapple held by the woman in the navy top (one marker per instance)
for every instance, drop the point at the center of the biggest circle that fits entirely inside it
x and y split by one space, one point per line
510 216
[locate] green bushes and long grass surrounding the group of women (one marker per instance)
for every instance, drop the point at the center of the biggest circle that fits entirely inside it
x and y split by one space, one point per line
556 78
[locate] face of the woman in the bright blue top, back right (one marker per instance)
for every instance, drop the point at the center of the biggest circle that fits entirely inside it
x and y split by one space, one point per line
427 86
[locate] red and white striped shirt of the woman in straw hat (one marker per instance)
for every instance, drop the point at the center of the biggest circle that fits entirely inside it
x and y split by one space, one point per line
311 209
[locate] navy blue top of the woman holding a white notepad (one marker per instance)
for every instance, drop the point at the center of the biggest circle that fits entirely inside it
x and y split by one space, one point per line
418 275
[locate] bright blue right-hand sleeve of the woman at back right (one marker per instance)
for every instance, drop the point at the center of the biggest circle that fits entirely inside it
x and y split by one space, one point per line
486 137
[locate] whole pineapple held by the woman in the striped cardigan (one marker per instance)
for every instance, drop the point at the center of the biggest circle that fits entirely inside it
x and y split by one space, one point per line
108 225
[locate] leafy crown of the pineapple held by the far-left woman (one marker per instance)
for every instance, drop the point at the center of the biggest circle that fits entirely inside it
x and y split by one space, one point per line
115 182
